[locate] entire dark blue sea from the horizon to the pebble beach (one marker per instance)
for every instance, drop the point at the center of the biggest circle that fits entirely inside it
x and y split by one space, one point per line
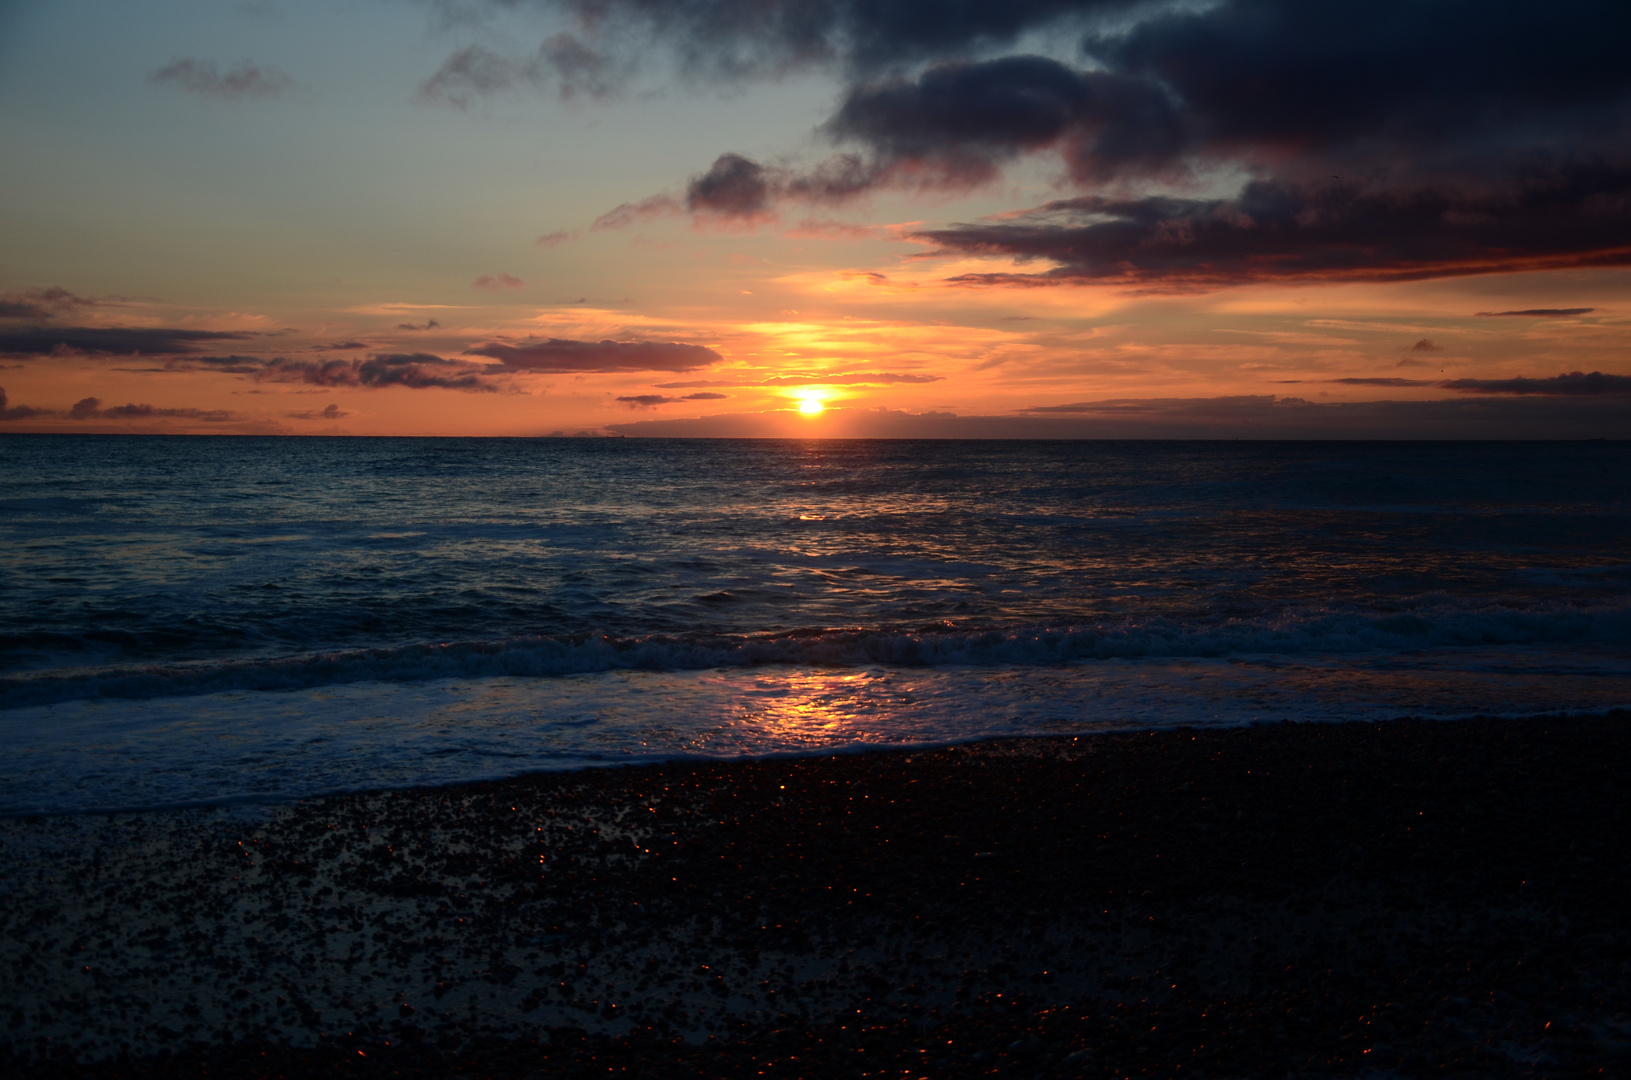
232 621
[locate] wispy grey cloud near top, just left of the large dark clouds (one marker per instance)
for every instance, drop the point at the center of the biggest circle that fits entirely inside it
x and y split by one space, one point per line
562 64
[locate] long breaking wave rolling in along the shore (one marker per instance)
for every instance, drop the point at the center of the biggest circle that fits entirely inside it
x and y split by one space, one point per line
1312 632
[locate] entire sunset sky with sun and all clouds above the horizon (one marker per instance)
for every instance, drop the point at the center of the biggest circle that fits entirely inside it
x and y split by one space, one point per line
816 218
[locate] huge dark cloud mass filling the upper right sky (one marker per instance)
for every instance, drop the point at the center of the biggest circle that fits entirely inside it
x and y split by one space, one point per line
1464 139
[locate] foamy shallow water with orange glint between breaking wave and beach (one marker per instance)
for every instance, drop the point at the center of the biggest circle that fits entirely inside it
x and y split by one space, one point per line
268 746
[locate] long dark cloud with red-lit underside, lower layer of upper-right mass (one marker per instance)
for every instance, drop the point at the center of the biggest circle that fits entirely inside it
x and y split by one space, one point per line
1565 218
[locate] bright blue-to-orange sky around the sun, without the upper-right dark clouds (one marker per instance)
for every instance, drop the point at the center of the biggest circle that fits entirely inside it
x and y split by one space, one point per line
342 221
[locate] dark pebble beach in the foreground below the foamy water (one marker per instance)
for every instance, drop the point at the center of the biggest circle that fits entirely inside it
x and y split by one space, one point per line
1405 900
